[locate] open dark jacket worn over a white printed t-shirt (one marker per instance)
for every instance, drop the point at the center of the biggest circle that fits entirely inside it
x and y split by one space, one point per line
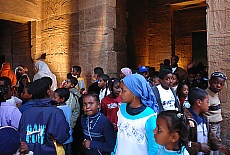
158 98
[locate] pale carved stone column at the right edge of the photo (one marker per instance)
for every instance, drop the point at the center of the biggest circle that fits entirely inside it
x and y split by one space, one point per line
218 33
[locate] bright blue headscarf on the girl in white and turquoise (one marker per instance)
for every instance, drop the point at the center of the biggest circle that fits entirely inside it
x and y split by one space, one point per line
138 85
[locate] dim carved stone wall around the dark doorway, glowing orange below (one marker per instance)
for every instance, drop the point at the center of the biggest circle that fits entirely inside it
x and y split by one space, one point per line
185 24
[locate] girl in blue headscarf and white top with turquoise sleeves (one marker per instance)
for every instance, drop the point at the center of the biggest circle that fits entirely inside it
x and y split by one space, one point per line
136 118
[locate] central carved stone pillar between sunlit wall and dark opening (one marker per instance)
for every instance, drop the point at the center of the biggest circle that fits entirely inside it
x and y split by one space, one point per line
97 21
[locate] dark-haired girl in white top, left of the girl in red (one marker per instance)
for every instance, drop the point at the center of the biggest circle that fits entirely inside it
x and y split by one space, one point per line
103 84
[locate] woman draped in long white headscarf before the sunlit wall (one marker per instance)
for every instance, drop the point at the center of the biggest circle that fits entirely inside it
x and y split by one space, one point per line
44 71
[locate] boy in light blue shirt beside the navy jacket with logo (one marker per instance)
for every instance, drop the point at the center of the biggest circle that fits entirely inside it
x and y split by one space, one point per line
61 95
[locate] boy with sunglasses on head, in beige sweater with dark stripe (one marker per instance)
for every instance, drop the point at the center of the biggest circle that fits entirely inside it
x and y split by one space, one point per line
216 84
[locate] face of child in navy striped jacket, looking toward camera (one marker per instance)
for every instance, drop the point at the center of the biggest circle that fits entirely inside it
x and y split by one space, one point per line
90 105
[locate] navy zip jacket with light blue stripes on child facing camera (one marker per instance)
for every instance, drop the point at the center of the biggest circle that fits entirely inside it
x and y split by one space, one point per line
100 132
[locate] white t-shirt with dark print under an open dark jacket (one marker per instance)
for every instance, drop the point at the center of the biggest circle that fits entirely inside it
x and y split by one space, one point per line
167 98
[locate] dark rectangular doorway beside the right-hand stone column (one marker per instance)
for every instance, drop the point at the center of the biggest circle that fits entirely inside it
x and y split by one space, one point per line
199 47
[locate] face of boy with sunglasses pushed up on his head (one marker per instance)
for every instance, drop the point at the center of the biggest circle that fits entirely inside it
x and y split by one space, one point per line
216 84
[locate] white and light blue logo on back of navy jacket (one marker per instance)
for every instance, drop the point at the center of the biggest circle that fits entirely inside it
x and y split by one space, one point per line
35 133
